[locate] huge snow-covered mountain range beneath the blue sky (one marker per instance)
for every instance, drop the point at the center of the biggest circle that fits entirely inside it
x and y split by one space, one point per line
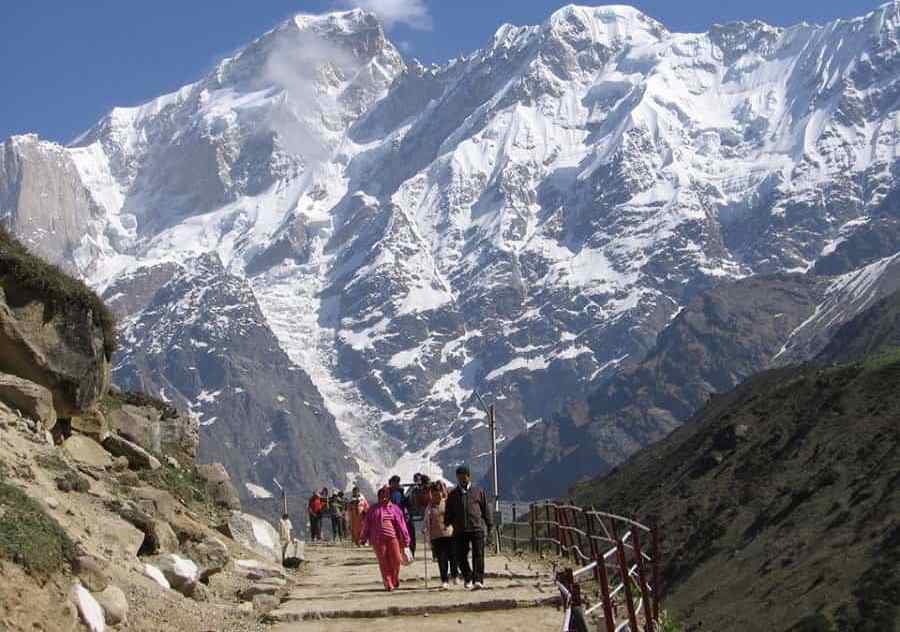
521 221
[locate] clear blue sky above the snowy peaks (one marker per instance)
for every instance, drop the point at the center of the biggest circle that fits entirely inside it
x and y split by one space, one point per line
66 62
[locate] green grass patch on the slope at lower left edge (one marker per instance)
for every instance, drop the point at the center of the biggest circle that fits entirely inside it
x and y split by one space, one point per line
28 536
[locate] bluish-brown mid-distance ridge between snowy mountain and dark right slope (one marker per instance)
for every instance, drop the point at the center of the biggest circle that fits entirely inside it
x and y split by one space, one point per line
721 337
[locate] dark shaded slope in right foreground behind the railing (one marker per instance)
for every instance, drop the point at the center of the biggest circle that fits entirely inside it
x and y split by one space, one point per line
779 499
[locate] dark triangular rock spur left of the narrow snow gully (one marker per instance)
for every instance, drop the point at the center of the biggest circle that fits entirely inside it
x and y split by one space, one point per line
259 413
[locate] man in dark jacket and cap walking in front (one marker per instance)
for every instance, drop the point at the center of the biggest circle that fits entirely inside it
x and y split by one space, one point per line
469 512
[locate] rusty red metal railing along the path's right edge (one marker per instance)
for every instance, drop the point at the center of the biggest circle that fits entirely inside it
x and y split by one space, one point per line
617 572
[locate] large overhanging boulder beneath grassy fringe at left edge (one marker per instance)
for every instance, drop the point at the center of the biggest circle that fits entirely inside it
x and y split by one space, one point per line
63 350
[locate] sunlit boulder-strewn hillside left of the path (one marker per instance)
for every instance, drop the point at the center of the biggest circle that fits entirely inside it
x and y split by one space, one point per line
105 518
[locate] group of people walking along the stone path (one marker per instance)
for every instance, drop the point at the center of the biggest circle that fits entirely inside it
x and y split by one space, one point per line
455 522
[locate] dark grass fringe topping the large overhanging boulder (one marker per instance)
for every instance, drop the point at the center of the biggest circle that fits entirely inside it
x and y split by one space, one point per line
61 291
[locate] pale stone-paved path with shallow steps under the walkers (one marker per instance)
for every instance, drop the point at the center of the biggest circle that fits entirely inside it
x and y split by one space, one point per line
343 592
